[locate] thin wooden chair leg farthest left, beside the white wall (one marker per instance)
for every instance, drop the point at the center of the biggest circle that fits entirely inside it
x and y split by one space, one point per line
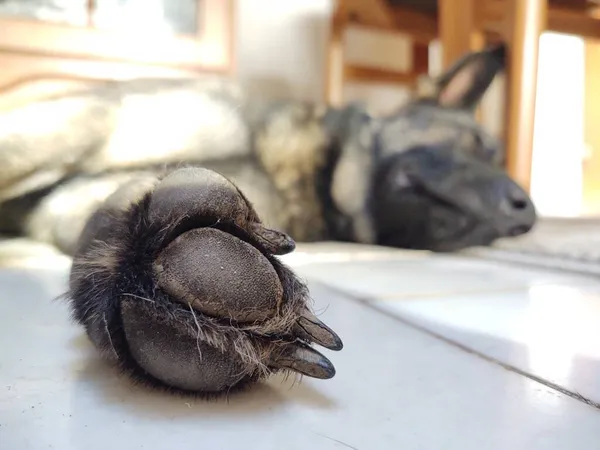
334 79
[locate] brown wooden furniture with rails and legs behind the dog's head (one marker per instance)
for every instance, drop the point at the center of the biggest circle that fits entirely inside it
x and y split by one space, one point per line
463 26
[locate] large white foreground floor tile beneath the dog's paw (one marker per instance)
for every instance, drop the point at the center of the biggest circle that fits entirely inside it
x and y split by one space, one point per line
395 388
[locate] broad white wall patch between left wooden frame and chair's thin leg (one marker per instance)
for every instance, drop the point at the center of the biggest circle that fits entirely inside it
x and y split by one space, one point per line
280 45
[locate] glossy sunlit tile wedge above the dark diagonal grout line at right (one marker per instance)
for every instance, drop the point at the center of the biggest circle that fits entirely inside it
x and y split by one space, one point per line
550 331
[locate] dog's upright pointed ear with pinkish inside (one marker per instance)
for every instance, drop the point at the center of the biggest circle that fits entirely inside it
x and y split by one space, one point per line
465 83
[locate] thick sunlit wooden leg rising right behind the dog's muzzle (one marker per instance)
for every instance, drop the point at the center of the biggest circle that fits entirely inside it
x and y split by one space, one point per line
526 20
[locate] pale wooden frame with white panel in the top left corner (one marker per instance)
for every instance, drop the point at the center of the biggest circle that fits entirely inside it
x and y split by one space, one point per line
104 39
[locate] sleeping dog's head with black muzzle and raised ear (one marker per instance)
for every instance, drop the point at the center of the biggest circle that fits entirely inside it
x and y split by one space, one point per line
429 176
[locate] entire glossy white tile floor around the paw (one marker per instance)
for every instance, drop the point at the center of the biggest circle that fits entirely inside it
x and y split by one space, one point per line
397 387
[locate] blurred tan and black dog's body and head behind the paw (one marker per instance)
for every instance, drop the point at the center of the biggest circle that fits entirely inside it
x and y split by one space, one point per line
309 170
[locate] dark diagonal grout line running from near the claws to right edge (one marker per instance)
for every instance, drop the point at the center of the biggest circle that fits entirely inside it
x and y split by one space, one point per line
370 304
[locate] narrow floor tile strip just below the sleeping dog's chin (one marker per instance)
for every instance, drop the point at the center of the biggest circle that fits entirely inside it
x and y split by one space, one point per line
430 275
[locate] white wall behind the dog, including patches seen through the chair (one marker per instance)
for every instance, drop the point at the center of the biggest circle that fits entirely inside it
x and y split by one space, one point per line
281 49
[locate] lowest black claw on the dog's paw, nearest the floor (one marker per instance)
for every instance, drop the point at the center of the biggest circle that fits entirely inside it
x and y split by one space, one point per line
305 360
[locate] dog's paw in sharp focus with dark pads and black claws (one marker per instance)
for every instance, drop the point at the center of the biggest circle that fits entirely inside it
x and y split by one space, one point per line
176 280
